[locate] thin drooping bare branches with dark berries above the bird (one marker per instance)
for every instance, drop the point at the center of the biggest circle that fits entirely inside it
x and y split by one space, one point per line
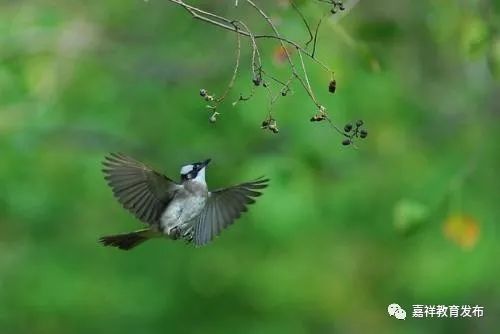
240 28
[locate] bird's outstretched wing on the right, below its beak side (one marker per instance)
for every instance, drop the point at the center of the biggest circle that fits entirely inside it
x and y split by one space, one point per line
223 207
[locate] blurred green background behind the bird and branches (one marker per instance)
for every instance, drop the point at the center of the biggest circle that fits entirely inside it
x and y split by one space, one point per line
410 217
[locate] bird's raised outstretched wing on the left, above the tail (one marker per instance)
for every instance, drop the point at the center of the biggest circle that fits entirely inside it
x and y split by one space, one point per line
141 190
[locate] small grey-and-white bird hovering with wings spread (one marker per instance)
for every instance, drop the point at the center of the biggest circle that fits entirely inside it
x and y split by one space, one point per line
184 210
